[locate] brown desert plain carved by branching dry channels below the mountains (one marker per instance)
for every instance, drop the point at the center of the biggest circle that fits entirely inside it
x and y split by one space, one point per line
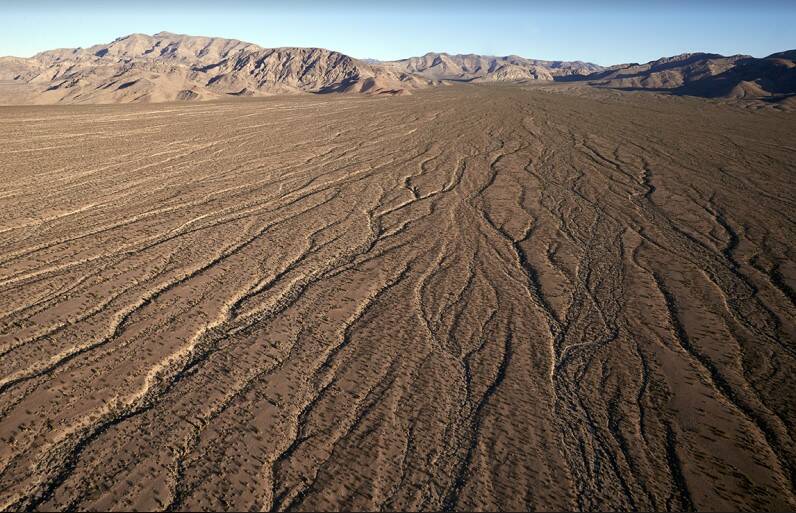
473 297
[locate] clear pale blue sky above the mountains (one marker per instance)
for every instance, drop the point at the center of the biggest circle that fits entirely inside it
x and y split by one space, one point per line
607 32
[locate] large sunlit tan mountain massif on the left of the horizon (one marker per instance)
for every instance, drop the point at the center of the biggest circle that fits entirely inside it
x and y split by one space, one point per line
167 66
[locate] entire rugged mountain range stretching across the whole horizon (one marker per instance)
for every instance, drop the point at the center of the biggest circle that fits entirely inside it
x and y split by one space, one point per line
166 67
